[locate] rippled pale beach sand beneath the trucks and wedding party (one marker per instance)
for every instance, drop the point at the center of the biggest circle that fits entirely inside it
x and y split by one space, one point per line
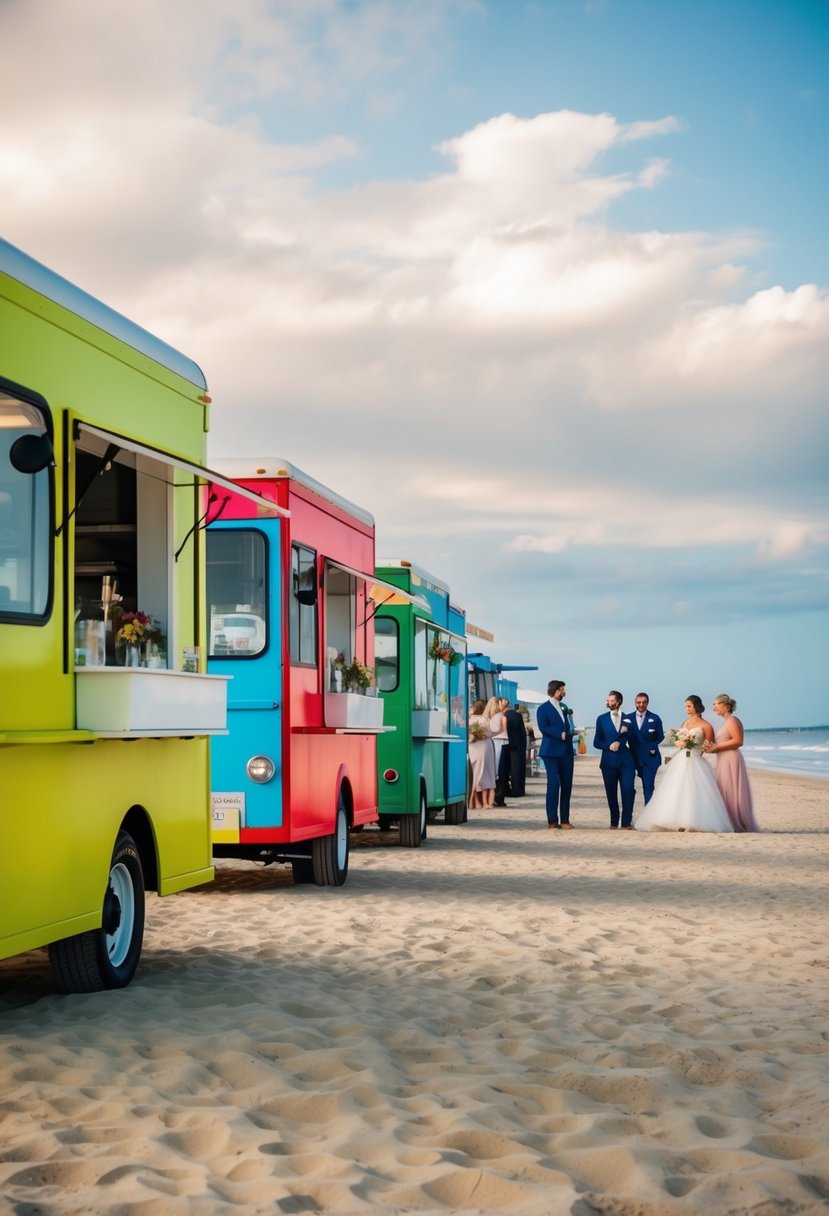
507 1018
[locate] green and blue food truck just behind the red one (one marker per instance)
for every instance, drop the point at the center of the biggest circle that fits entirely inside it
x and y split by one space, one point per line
421 655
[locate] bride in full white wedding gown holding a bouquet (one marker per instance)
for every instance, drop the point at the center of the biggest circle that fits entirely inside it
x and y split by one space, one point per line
687 797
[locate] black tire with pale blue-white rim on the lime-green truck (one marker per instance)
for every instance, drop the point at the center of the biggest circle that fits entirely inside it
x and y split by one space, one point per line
108 958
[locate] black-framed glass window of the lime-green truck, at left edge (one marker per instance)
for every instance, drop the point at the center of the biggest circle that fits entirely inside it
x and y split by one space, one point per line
26 534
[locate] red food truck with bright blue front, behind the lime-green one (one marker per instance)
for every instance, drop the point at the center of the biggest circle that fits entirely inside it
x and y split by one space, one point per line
292 603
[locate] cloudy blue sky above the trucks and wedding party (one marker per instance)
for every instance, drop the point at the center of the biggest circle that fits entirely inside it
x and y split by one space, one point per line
544 286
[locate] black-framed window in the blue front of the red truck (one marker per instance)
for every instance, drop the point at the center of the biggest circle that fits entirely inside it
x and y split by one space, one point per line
238 593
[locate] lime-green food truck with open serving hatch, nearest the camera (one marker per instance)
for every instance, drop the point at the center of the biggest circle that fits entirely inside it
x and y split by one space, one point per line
104 738
